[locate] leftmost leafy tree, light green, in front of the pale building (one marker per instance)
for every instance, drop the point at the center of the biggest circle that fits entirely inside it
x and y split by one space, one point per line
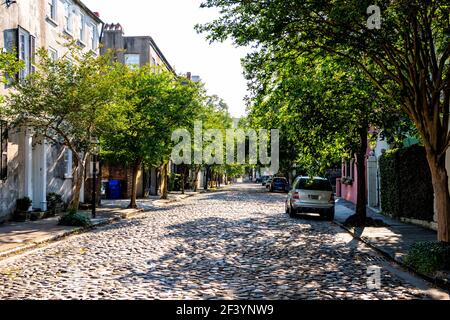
70 102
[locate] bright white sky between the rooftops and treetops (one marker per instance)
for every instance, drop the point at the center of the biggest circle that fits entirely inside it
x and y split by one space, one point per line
171 24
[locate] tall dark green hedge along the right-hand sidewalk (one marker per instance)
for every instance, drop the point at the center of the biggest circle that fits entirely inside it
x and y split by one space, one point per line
405 183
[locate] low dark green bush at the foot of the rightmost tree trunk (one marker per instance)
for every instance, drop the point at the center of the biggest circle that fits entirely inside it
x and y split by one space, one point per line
429 257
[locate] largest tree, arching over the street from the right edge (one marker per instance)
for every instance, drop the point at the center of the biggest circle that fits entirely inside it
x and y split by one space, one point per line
411 48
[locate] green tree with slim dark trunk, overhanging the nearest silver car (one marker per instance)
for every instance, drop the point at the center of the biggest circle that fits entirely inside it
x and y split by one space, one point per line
324 109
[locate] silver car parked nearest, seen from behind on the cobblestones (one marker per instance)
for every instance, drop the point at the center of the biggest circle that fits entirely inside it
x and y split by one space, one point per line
311 195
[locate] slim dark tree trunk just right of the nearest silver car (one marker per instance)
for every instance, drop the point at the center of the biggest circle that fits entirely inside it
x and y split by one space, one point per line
361 199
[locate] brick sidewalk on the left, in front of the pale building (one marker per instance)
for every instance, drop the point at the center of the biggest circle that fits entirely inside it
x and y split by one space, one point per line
16 237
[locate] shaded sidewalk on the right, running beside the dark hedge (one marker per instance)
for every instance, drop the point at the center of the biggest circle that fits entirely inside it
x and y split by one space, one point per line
393 240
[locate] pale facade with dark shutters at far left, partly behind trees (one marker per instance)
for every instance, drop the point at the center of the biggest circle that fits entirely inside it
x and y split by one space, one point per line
31 166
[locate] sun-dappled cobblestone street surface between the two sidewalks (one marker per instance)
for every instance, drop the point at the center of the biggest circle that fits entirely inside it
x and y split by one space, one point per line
233 244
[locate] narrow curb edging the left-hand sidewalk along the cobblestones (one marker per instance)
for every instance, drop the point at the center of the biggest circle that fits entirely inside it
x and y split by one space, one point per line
60 235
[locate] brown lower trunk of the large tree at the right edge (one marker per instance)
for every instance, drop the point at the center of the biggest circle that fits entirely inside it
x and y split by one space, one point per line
439 179
